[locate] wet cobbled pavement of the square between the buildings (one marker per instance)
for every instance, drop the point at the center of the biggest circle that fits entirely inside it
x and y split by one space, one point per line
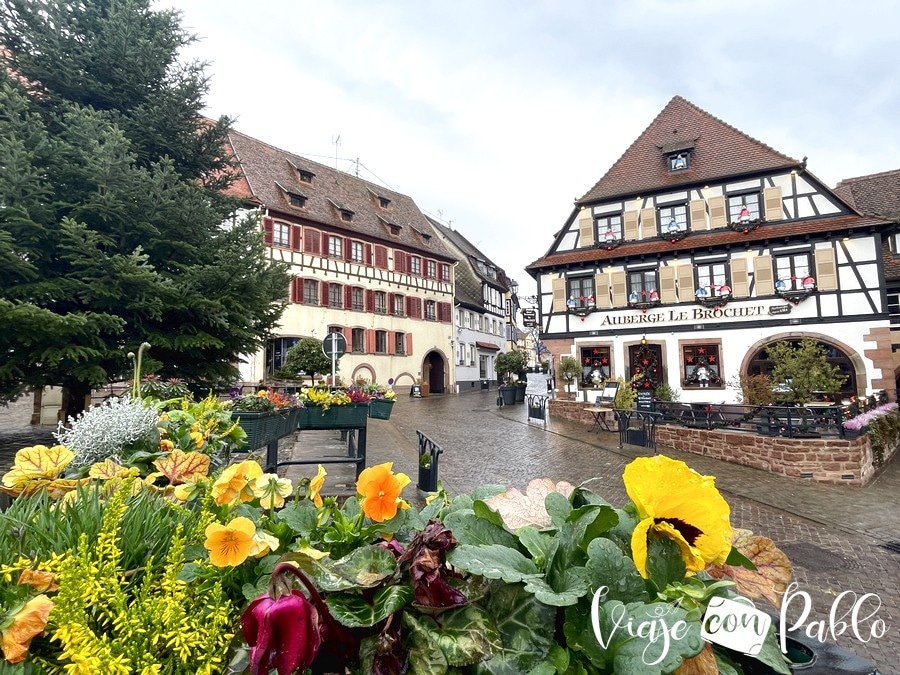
839 538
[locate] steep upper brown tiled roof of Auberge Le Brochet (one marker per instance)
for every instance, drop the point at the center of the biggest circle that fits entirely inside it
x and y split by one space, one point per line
719 151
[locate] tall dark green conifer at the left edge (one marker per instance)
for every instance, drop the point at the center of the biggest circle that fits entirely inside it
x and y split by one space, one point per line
114 228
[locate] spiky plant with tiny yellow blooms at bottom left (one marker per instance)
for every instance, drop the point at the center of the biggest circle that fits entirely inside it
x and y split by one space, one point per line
161 625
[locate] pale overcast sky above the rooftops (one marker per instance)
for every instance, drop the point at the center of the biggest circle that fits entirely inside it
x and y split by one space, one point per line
496 116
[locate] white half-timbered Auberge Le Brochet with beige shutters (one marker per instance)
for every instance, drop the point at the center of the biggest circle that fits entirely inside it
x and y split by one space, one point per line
700 247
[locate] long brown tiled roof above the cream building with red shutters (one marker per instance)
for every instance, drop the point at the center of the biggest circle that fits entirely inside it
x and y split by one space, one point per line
267 172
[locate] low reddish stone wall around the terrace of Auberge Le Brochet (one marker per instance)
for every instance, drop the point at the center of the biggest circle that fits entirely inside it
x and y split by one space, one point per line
824 460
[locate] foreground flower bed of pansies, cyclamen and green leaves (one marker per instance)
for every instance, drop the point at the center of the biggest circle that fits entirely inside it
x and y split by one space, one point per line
498 579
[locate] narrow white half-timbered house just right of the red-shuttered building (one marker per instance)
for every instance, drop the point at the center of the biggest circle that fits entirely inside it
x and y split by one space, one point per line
480 312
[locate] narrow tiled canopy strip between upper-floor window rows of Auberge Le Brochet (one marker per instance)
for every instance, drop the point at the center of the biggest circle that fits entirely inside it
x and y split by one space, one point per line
712 239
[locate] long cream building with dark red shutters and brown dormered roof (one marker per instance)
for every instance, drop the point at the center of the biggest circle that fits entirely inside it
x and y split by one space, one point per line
364 260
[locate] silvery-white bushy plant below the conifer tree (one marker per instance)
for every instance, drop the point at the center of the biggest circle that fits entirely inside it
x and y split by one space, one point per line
104 430
